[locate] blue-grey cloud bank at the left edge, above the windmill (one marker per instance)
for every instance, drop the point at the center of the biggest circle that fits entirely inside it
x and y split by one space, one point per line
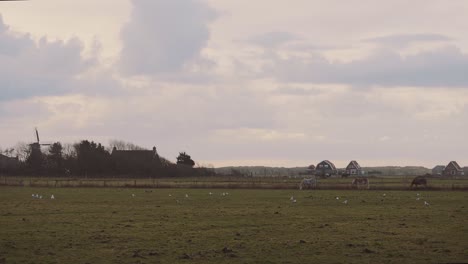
47 67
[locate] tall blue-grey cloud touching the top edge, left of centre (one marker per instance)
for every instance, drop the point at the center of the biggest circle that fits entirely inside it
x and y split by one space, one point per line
164 36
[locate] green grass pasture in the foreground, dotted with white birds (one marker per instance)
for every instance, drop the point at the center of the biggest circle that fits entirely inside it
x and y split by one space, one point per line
108 225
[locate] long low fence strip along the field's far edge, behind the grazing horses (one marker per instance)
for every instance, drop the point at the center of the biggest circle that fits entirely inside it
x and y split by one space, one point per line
382 183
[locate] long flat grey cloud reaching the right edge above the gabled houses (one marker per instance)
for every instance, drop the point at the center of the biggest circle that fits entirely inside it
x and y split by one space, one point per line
445 67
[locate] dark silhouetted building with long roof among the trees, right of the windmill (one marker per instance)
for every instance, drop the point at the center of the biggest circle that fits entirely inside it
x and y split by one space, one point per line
141 161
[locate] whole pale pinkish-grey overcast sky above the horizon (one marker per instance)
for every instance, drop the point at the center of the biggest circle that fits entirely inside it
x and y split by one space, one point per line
237 82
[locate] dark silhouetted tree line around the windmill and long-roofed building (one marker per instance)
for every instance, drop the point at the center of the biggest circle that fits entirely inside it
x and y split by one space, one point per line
92 159
